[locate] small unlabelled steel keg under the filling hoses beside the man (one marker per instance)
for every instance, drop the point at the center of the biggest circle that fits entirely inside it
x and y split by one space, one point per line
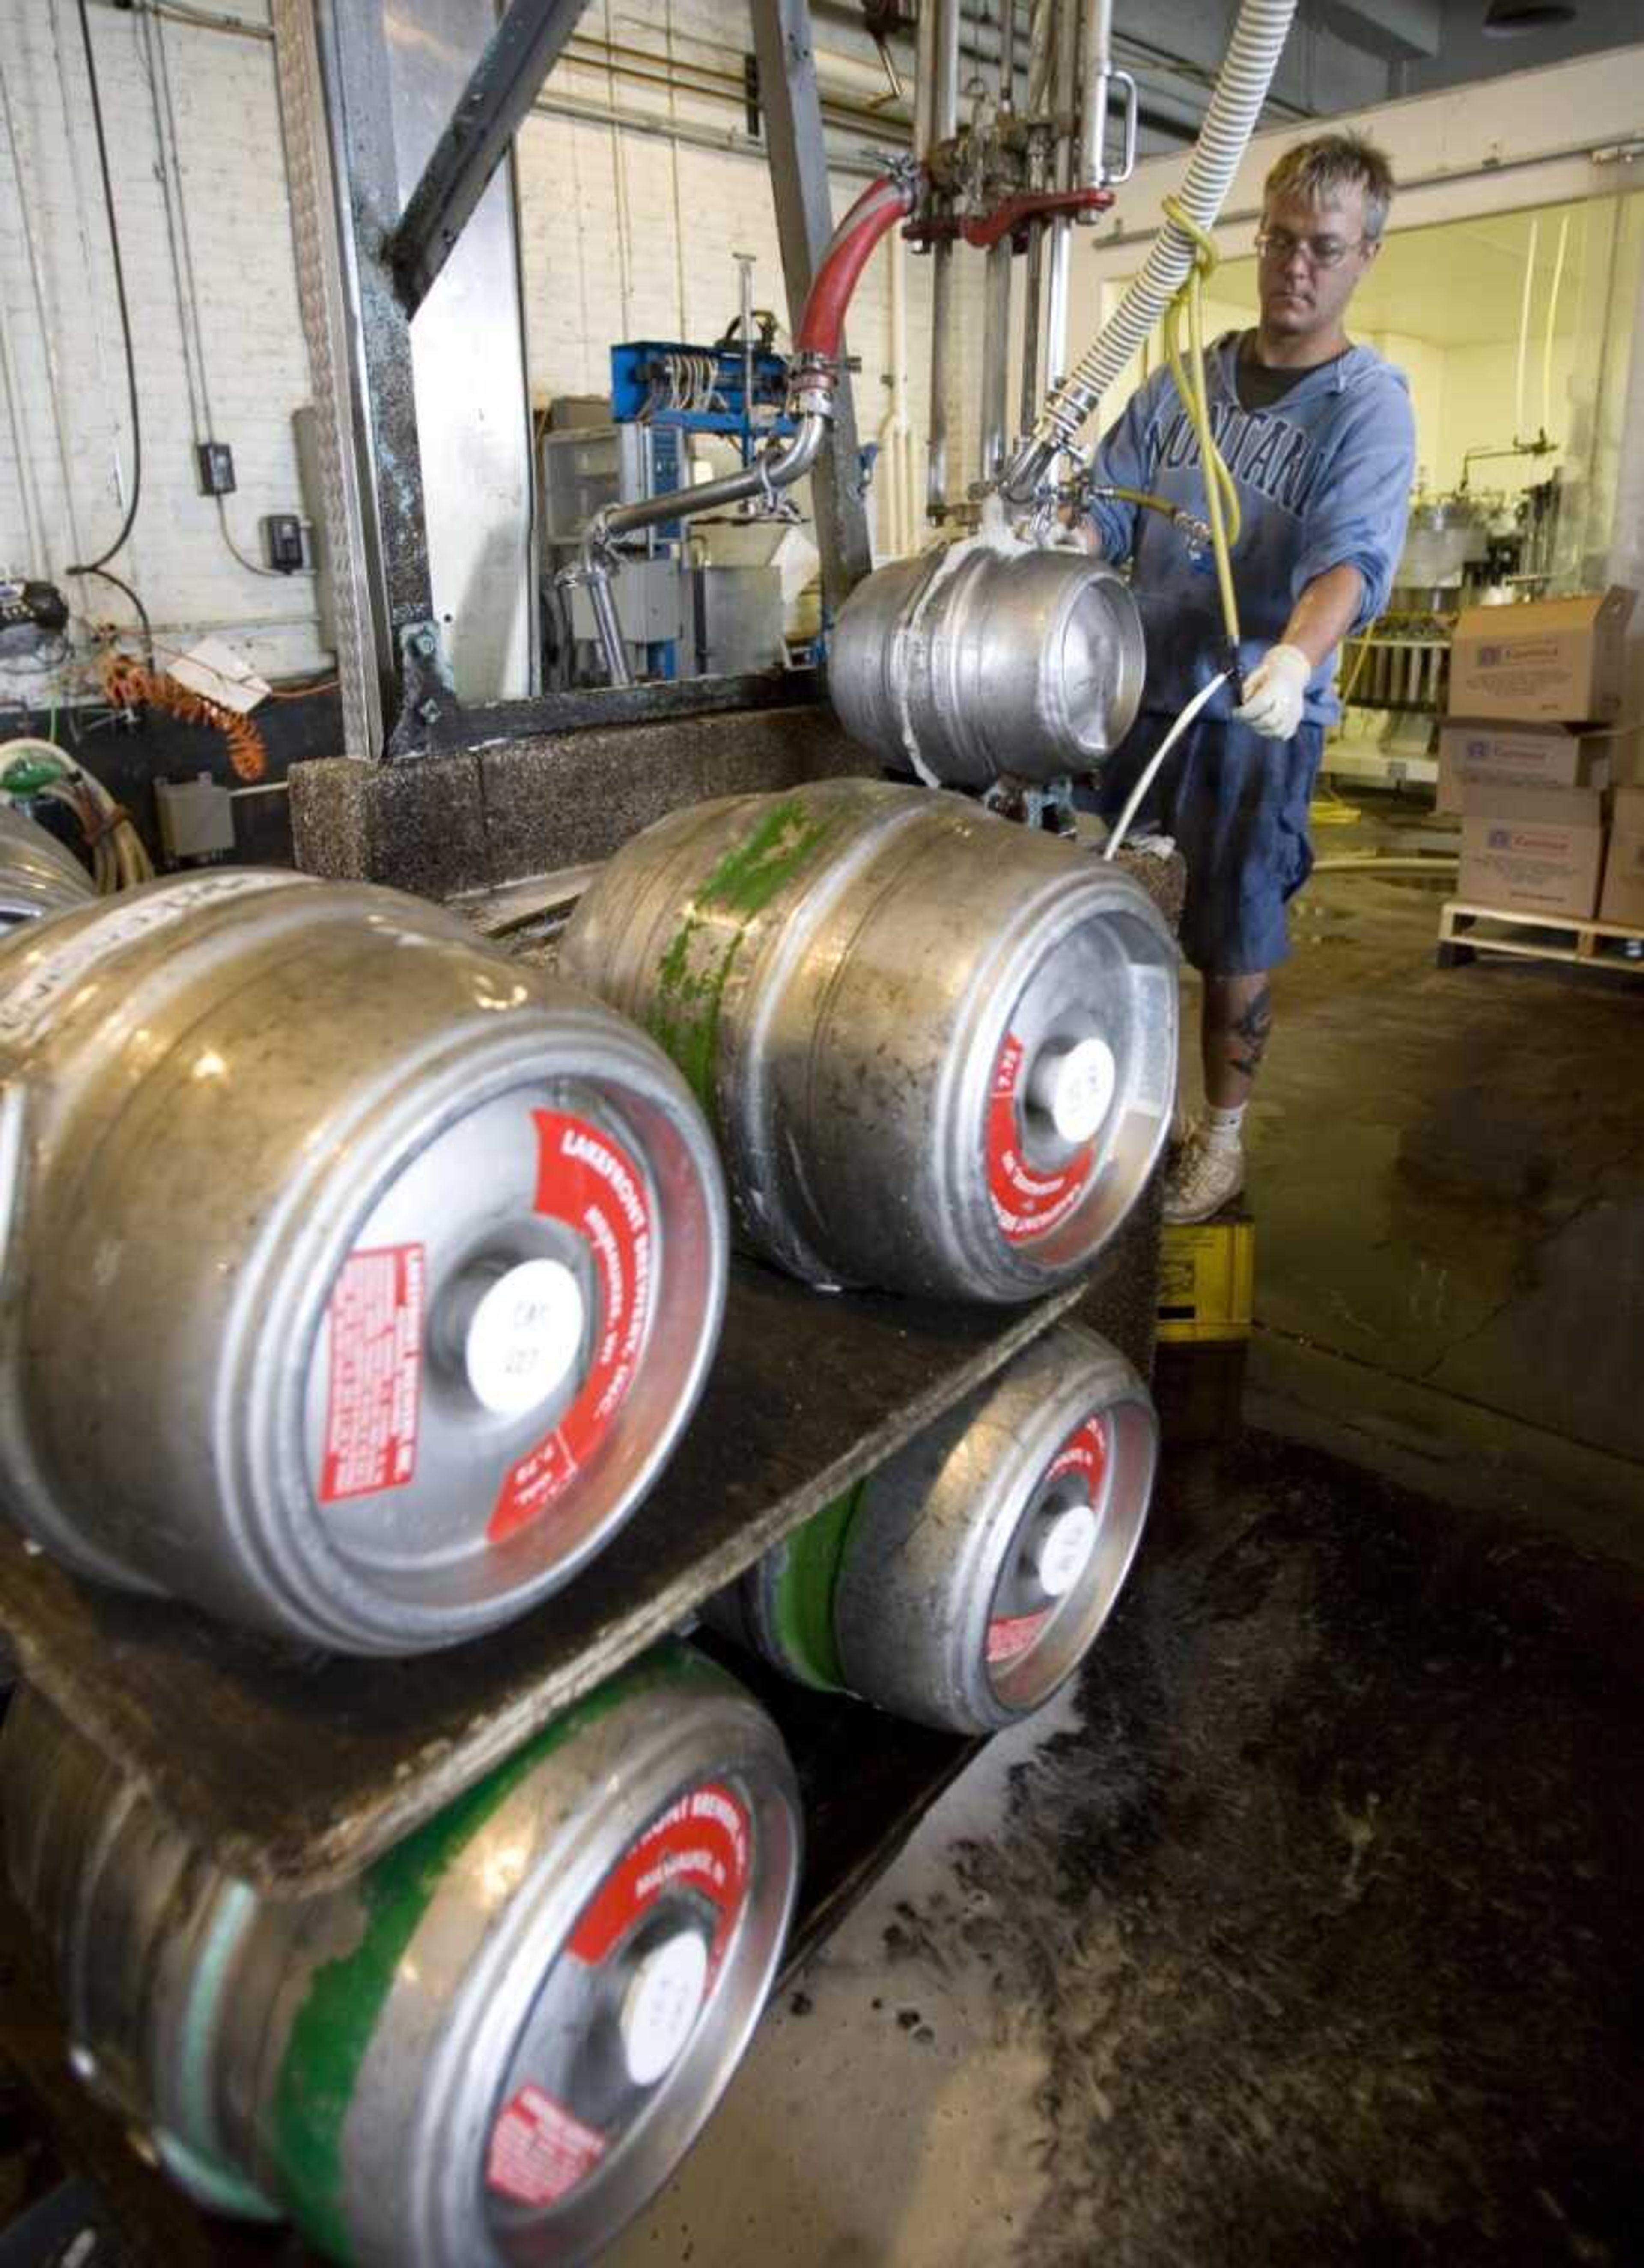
976 663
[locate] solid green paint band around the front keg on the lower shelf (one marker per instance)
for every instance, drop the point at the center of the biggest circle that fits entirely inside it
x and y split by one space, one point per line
346 1997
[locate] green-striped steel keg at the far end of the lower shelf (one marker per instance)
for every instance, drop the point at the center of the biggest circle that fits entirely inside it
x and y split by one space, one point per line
972 1573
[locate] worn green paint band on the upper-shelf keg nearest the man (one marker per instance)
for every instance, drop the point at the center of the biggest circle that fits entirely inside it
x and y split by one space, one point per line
686 1013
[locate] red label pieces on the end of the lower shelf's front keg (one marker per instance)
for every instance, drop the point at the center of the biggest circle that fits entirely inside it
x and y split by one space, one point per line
541 2149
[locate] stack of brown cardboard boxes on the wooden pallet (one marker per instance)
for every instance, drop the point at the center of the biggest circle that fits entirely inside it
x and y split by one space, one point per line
1532 761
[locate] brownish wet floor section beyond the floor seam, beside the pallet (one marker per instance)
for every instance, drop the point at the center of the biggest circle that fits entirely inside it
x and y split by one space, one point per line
1448 1165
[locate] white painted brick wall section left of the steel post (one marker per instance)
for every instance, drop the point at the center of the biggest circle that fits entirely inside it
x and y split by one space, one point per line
255 362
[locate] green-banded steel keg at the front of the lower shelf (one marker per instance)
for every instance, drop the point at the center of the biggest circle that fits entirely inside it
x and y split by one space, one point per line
495 2045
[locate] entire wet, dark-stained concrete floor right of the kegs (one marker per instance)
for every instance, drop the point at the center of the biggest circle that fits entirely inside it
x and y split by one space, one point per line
1307 1927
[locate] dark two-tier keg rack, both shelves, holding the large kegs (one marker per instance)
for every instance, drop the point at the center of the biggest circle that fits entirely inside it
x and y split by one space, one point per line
298 1770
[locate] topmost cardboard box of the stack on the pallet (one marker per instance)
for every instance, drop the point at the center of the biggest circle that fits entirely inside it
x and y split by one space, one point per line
1557 661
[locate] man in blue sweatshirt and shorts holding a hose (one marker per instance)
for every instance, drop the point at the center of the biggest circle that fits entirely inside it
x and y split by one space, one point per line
1321 441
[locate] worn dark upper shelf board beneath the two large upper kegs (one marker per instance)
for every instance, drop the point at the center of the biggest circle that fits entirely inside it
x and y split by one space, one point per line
296 1770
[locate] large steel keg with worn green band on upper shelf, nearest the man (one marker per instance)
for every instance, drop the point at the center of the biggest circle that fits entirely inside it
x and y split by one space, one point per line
940 1051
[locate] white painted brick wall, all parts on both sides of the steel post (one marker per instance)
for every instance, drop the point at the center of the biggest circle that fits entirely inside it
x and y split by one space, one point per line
622 235
